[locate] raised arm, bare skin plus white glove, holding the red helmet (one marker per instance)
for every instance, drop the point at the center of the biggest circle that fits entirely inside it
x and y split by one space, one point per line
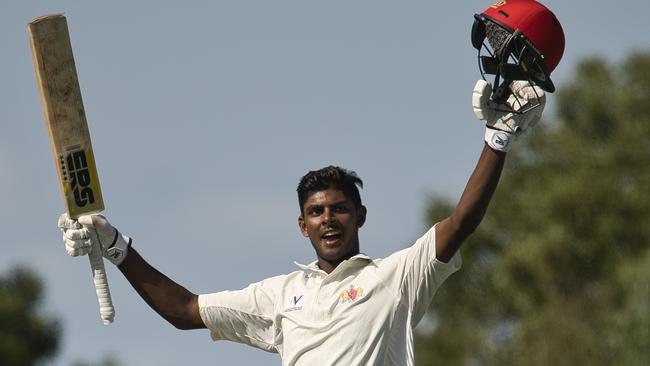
502 127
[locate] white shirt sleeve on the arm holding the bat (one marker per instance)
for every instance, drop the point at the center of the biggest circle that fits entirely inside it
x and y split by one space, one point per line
245 316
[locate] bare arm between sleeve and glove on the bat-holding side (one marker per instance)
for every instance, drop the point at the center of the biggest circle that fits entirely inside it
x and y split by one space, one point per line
172 301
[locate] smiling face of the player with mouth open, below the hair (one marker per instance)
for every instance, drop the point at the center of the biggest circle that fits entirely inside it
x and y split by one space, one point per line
331 222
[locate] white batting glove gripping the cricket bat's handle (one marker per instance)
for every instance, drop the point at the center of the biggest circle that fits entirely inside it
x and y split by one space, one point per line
79 234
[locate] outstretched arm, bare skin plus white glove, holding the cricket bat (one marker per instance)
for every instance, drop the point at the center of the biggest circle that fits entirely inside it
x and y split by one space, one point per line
172 301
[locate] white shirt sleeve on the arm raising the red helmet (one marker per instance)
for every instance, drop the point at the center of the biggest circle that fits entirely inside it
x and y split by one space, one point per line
423 273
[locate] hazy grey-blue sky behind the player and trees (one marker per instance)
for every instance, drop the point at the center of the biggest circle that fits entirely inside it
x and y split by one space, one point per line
205 114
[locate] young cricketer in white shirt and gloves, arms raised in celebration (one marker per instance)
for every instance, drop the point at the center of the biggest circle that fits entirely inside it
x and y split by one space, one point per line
344 308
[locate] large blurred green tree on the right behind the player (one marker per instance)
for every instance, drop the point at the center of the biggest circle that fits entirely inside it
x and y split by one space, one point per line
558 273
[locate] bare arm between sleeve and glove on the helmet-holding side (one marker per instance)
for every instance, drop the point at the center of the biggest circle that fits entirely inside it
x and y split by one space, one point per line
452 231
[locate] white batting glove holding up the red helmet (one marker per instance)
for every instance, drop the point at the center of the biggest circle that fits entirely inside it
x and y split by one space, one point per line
503 125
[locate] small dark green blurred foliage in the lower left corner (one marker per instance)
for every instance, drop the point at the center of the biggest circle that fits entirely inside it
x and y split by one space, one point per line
26 335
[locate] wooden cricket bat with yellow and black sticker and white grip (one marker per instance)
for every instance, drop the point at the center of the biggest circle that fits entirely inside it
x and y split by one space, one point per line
65 117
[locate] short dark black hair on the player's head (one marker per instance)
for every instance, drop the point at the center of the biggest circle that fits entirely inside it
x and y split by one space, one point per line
332 176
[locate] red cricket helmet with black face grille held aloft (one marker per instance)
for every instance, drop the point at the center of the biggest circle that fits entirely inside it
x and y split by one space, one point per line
525 41
